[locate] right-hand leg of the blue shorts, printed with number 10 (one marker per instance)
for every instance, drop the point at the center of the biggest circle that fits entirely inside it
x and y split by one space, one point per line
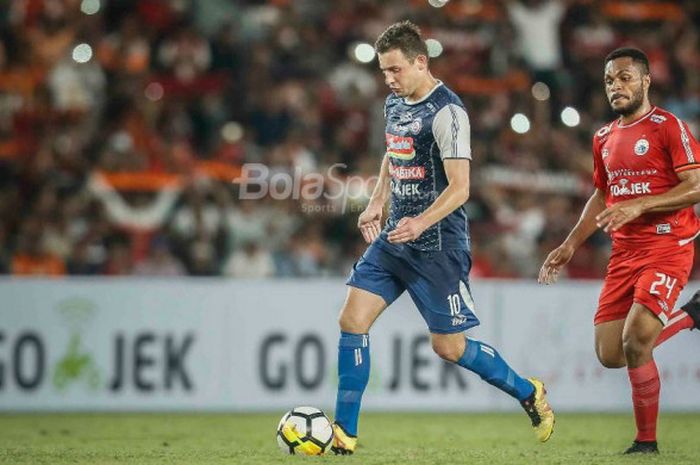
440 289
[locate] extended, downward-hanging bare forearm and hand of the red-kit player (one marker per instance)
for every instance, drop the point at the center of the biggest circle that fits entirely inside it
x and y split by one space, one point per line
583 229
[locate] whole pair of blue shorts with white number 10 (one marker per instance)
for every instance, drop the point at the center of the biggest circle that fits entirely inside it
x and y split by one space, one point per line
438 282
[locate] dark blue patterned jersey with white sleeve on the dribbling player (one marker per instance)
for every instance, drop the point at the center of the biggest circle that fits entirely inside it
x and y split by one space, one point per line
419 136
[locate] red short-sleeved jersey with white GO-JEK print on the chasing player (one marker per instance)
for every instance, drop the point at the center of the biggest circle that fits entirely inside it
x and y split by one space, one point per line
644 158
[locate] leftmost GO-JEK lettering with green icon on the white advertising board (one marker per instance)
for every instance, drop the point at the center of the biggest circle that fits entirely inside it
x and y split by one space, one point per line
147 361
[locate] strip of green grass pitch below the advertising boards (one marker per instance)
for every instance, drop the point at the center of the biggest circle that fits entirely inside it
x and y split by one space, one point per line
412 438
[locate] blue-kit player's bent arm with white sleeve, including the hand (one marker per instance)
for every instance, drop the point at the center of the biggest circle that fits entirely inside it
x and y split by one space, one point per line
451 131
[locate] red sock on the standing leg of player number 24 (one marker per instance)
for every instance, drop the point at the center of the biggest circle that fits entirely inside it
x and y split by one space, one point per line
645 399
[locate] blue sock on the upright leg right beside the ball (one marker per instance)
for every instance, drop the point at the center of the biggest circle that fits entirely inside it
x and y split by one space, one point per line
353 375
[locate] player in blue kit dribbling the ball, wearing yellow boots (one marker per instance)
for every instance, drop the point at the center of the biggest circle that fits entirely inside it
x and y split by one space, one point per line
424 247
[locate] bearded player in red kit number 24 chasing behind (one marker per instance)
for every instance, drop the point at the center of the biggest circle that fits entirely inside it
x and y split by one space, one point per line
647 179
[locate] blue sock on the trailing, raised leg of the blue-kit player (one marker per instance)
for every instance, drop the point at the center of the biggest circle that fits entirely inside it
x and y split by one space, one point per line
483 360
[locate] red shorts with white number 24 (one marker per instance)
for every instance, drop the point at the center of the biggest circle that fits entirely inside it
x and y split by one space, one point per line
650 277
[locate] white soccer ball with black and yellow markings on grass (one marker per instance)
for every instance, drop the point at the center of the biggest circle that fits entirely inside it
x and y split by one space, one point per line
304 431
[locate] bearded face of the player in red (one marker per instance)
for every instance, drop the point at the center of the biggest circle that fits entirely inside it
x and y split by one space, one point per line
625 85
